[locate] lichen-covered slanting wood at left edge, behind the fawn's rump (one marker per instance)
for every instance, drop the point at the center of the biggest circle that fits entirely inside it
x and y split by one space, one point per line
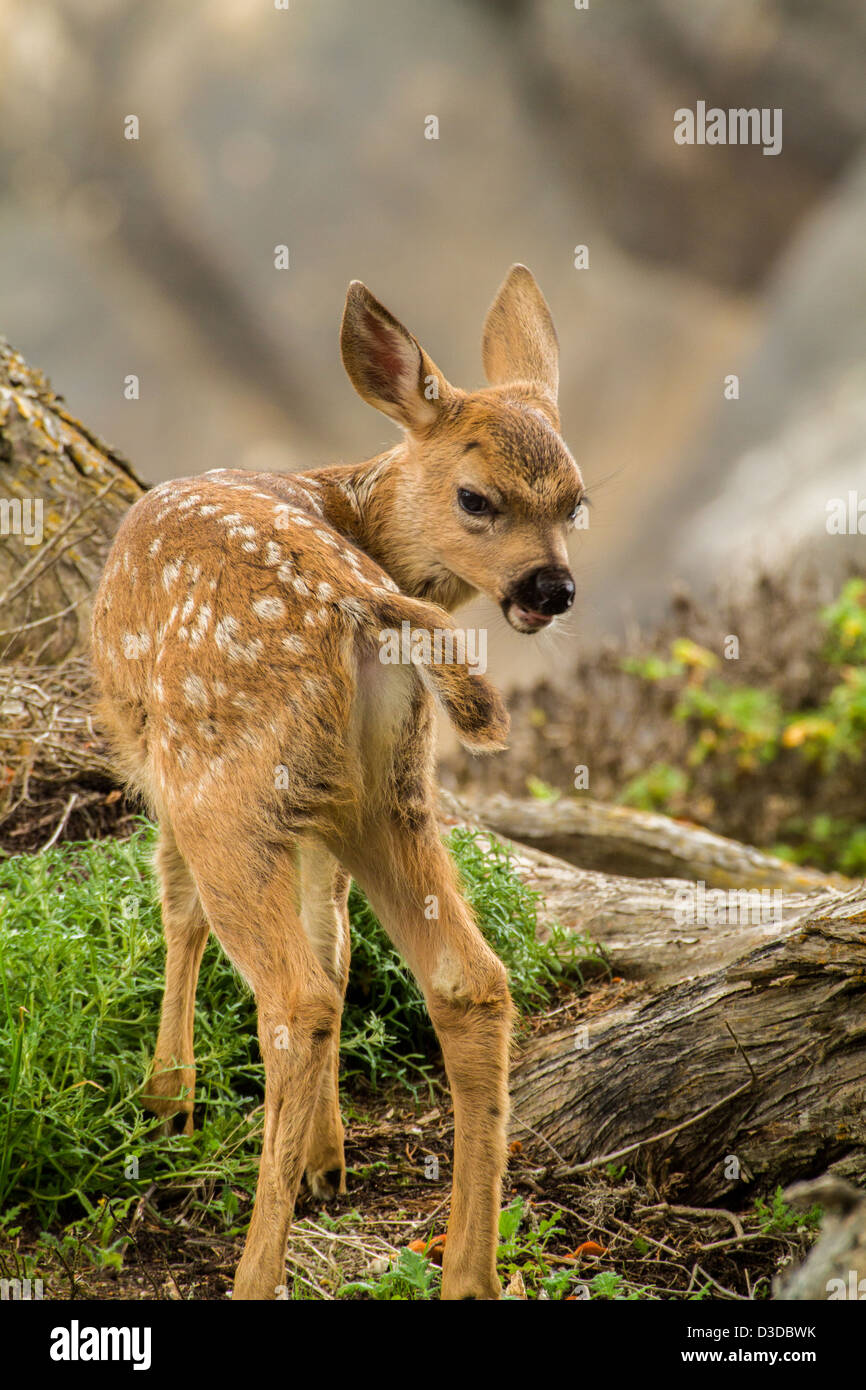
63 494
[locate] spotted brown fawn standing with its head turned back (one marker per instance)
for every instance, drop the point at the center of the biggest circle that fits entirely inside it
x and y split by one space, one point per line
237 641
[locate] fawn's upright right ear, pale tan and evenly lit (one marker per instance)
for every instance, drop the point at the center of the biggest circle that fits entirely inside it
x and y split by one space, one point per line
519 341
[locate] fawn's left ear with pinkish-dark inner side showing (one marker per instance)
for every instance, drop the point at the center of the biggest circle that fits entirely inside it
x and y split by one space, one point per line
387 366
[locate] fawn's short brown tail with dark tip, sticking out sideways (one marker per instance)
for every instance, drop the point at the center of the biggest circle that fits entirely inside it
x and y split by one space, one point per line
437 648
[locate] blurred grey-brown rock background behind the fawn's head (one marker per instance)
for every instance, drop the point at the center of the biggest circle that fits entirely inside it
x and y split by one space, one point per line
307 127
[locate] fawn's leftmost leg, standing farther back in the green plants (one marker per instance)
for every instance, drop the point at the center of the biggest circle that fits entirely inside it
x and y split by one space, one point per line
172 1086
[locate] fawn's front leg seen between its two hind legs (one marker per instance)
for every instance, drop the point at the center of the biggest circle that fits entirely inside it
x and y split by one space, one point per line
325 914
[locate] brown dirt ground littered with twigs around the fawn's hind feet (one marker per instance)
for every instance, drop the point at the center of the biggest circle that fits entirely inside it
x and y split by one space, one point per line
177 1246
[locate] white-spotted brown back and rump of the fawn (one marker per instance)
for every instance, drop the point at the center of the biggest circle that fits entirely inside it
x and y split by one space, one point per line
236 640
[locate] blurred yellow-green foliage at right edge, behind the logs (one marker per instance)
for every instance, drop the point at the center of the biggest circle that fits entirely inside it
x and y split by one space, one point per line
739 730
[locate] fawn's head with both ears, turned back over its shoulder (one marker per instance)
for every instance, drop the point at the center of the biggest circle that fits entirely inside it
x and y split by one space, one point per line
483 491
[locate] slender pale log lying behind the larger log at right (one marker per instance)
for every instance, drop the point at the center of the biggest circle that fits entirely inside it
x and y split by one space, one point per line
642 844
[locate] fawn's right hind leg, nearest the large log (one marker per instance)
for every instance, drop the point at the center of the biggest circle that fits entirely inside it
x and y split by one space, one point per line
468 996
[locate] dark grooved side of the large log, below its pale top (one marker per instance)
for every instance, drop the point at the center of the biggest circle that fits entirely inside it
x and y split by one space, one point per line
760 1067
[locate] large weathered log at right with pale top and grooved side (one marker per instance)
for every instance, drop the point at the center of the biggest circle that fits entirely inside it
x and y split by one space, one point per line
732 1060
